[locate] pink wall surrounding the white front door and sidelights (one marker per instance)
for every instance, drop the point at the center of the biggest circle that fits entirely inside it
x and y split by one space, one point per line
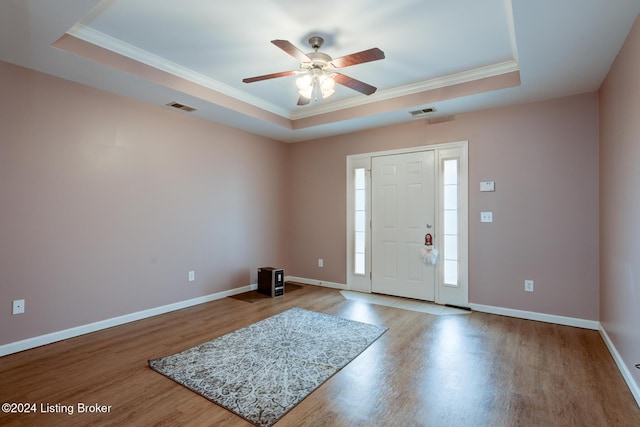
543 158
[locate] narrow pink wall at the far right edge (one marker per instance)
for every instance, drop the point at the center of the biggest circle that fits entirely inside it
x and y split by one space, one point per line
620 203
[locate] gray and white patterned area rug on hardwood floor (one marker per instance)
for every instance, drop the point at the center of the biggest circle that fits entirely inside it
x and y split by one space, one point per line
262 371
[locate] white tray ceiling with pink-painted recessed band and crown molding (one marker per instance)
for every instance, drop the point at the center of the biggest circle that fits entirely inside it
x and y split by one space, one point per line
454 55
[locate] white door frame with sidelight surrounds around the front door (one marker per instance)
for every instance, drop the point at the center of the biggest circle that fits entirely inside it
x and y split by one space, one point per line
443 294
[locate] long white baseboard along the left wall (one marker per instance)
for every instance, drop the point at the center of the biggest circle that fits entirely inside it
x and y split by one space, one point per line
38 341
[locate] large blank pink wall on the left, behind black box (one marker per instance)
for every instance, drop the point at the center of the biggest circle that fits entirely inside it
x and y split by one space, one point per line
107 203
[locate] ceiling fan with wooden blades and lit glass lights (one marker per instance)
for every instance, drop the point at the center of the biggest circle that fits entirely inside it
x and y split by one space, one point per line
317 74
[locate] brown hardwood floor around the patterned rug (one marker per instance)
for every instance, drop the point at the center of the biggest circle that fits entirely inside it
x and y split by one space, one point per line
450 370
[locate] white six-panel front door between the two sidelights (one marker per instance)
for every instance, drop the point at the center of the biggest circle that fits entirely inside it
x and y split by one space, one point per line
403 211
